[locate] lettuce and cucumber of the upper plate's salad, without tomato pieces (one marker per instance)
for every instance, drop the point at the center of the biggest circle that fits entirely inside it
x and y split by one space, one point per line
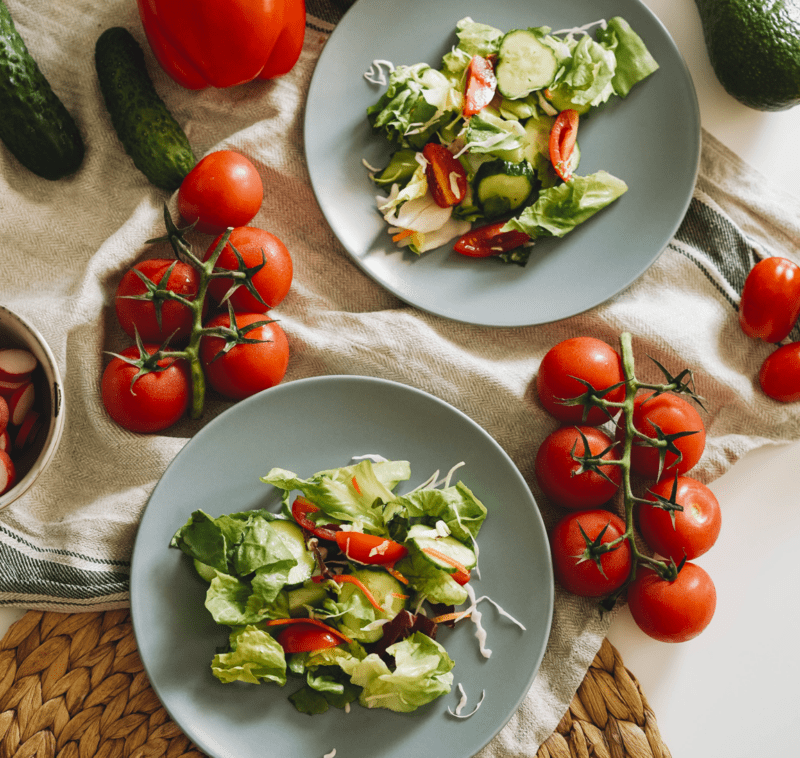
539 74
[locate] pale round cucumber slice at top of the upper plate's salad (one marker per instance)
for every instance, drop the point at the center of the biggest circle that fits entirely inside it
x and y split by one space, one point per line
524 64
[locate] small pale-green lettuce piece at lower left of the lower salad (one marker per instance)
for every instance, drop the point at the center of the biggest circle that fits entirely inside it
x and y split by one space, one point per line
255 656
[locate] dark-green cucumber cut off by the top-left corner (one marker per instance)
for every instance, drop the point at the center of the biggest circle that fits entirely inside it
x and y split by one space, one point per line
35 125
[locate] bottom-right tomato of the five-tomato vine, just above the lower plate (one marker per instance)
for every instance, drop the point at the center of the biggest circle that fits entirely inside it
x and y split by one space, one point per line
246 368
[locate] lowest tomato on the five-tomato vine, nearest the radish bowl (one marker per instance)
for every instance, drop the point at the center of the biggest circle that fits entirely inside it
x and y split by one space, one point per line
156 400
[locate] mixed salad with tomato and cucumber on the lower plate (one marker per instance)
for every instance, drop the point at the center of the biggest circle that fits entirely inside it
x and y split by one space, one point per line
341 592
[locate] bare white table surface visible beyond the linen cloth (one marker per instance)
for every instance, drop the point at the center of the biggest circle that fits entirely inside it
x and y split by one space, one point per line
732 690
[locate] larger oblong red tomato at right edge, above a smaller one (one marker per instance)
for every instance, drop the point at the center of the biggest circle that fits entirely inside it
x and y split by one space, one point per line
770 301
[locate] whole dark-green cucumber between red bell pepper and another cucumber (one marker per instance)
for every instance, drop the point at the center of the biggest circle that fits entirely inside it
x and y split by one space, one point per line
150 135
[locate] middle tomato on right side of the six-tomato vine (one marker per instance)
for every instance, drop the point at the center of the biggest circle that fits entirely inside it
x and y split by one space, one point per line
695 528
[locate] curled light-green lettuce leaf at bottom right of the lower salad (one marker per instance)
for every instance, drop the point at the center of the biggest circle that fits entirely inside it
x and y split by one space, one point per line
422 673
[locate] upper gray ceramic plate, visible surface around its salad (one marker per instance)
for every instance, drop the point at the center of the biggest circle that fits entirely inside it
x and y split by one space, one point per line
651 140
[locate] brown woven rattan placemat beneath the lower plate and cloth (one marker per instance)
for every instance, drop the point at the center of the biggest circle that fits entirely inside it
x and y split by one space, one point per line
72 685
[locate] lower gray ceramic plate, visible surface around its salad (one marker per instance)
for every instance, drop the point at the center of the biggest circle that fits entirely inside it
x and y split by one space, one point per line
307 426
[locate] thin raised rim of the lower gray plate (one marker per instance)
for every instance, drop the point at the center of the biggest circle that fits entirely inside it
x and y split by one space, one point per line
295 385
